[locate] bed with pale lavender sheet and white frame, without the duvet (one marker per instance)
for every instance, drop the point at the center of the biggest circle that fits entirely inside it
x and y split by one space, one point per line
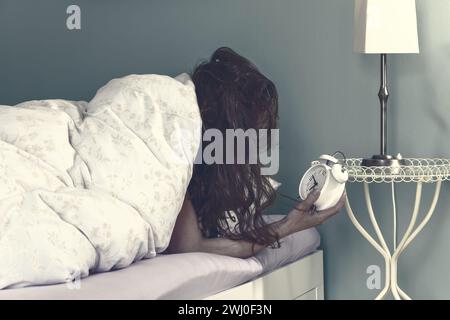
294 271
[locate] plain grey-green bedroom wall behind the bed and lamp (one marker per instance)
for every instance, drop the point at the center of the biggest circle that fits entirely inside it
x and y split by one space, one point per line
327 94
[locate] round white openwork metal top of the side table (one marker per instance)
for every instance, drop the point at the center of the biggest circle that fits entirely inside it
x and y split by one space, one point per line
414 170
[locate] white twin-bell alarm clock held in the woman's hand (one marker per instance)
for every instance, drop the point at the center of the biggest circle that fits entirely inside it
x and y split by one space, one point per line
329 177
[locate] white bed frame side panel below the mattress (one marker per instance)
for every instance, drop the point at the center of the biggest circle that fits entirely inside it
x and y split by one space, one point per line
300 280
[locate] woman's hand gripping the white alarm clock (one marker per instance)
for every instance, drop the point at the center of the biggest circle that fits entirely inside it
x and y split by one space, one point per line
303 216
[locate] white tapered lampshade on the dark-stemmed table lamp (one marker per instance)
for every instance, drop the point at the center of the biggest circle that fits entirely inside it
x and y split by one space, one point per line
385 26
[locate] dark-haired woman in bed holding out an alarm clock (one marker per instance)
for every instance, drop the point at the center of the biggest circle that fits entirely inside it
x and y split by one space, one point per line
232 94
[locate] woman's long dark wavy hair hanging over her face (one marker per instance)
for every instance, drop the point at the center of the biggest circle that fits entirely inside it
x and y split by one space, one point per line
233 94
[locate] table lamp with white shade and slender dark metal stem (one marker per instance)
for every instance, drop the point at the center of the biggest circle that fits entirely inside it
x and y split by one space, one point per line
385 27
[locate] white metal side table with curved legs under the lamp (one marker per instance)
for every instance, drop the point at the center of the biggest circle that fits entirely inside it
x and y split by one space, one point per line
414 170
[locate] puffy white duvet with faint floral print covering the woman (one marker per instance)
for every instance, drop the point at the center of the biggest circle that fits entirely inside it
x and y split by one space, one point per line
94 186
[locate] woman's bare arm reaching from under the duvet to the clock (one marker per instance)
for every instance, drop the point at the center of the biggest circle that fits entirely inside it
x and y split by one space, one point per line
187 236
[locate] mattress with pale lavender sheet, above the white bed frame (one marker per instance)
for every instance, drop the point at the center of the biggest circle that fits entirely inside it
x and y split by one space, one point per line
176 276
